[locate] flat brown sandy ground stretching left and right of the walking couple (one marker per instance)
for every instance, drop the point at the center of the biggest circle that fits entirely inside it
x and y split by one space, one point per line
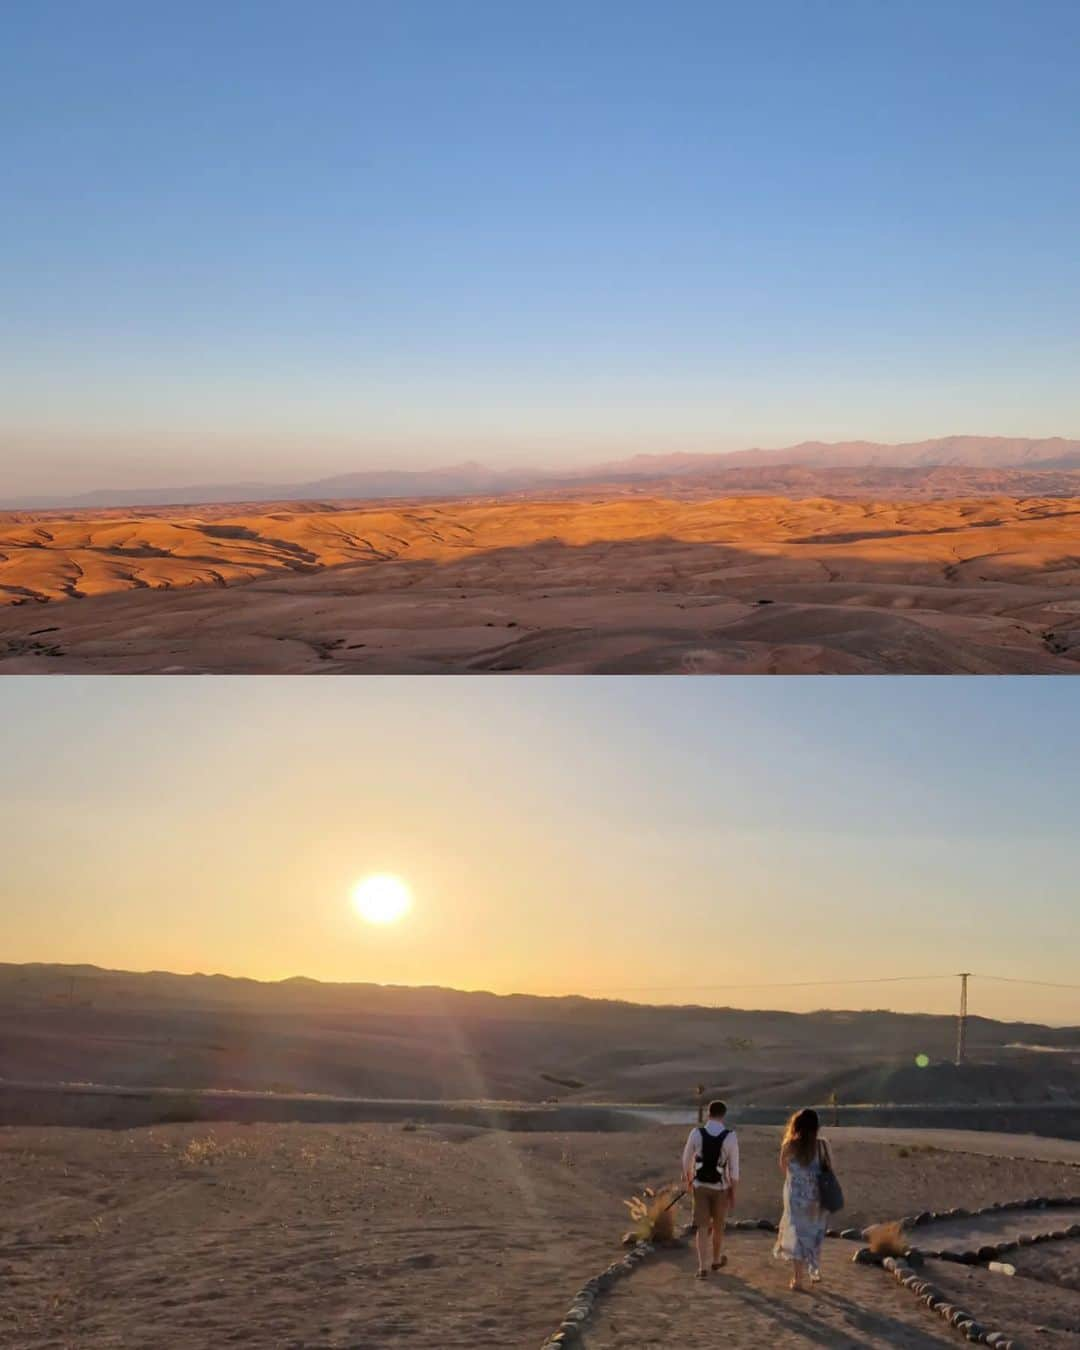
376 1236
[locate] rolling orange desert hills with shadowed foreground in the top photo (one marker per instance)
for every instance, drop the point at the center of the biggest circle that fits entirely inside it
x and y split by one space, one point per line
623 585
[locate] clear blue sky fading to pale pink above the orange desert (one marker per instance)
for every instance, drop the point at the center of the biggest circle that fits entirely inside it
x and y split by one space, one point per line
269 240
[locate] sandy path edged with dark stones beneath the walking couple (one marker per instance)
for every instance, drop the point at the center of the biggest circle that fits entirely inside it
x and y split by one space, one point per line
750 1305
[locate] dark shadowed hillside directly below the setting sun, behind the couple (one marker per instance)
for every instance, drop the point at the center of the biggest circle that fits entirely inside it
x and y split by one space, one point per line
79 1024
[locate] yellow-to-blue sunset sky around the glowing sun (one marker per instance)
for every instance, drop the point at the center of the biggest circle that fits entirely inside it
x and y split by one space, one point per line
601 836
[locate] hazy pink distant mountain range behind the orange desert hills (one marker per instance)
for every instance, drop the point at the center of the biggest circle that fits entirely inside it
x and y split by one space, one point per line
974 461
